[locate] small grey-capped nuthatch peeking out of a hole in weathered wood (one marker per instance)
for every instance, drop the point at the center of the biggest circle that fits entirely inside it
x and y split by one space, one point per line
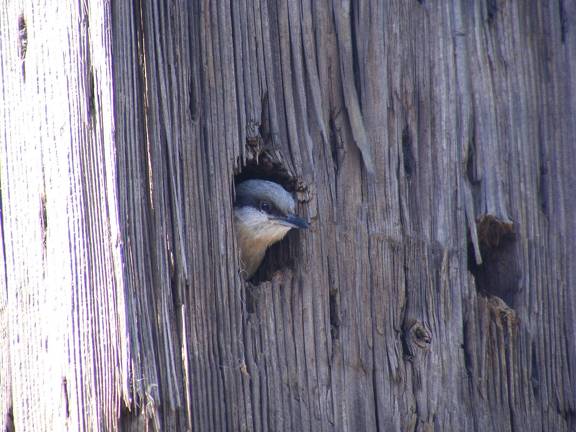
263 214
